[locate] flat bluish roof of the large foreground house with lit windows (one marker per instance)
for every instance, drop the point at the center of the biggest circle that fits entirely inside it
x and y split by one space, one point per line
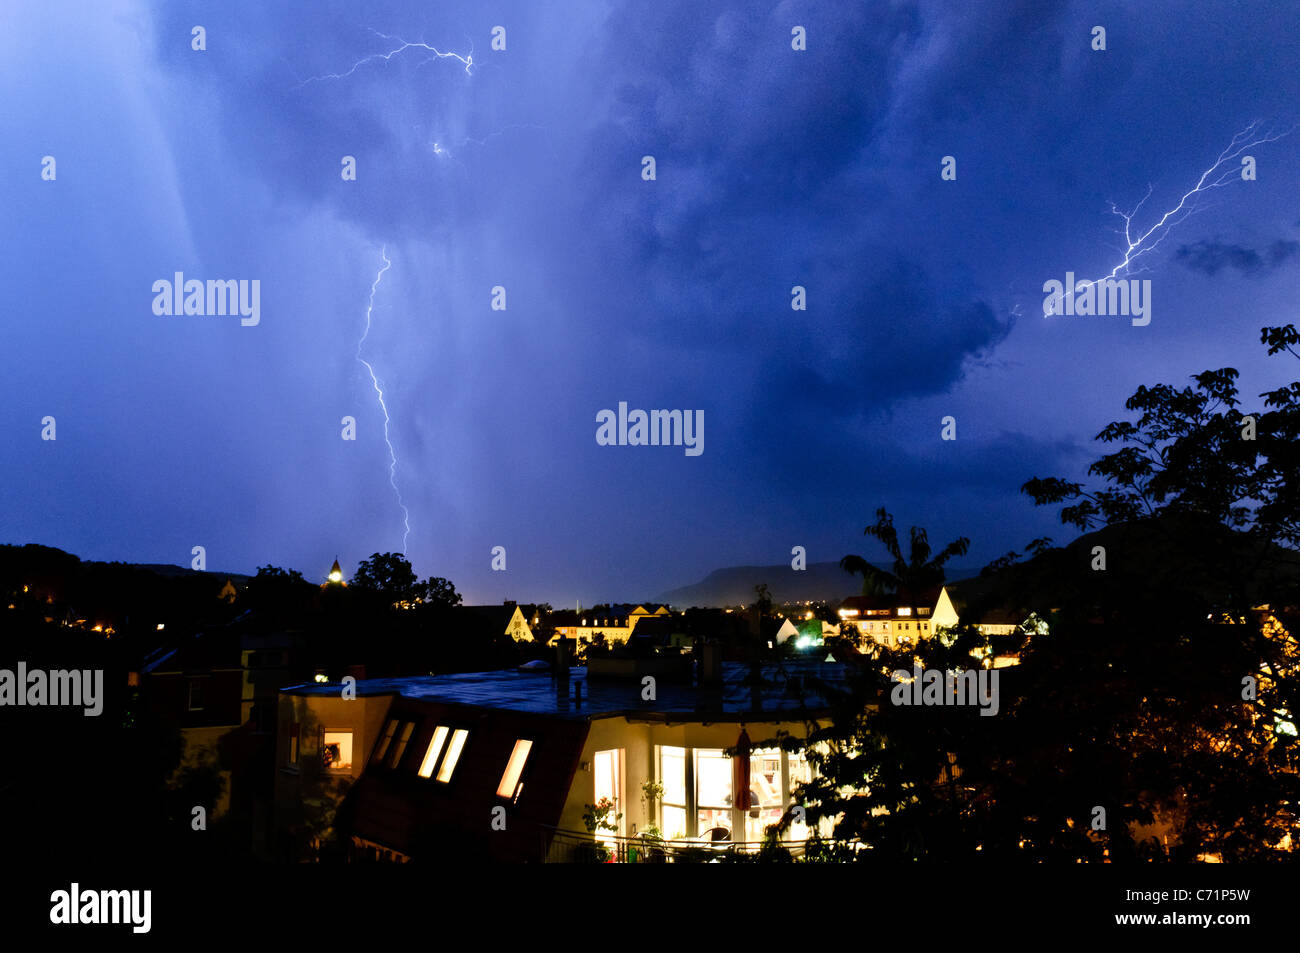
539 694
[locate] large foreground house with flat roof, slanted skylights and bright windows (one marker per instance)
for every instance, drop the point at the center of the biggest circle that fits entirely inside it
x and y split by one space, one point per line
505 765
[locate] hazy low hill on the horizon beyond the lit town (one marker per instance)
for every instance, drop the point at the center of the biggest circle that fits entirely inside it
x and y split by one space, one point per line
735 586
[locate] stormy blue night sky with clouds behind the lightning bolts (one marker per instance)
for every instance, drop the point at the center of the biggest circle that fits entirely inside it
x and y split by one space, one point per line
774 168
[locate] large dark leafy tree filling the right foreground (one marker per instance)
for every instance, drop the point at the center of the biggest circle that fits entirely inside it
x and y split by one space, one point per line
1126 733
